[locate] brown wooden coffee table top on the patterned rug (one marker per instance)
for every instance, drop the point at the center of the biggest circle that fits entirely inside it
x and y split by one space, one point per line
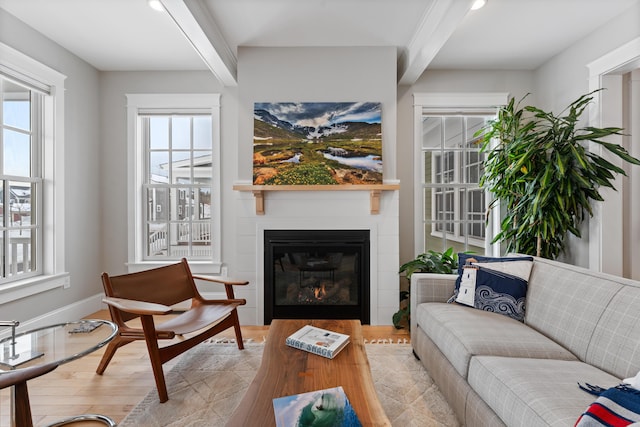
285 371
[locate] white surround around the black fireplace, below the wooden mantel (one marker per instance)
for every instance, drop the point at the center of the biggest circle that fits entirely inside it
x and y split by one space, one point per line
325 210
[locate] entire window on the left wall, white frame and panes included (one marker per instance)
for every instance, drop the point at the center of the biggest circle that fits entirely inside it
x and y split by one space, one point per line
31 141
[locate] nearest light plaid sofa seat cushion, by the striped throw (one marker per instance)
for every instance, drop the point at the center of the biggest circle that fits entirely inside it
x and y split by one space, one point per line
535 392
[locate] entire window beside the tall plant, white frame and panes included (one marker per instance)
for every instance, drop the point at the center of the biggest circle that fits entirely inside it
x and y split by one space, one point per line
450 205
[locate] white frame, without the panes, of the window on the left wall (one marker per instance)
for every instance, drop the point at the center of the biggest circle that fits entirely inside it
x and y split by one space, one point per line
26 70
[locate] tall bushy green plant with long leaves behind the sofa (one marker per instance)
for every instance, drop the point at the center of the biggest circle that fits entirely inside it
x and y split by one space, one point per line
543 175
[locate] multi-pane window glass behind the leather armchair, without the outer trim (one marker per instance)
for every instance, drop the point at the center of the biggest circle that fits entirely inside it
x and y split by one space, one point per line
178 184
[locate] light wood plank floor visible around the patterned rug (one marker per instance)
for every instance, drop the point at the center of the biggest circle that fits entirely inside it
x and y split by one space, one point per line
75 388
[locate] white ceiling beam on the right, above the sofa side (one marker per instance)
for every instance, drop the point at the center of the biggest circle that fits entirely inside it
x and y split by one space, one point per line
438 23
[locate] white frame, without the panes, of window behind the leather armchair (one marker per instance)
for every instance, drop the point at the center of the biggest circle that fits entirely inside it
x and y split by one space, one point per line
138 104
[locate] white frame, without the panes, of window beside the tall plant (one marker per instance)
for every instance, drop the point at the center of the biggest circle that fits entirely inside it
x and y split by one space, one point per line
462 103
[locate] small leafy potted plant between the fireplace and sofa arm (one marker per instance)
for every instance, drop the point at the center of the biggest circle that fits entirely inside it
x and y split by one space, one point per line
429 262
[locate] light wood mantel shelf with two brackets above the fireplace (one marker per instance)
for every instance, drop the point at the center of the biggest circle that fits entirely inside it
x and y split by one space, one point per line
373 189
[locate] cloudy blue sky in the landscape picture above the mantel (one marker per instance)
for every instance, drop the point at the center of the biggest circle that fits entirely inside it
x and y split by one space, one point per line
316 114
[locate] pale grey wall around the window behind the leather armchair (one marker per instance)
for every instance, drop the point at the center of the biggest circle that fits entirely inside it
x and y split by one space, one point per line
114 85
